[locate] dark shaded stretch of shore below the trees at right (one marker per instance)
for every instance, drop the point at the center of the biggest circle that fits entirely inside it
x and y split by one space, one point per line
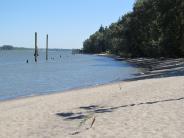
157 68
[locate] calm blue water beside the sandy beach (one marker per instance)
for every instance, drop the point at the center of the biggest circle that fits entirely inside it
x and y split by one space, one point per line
19 79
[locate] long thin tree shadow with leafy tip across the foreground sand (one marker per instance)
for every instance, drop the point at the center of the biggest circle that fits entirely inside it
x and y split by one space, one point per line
95 109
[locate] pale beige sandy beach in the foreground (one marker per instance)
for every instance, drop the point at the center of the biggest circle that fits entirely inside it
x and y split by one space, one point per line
151 108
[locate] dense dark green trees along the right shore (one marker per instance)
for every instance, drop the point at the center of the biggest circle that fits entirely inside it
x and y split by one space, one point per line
155 28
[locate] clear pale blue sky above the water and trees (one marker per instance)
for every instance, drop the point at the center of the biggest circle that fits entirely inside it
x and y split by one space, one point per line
68 22
